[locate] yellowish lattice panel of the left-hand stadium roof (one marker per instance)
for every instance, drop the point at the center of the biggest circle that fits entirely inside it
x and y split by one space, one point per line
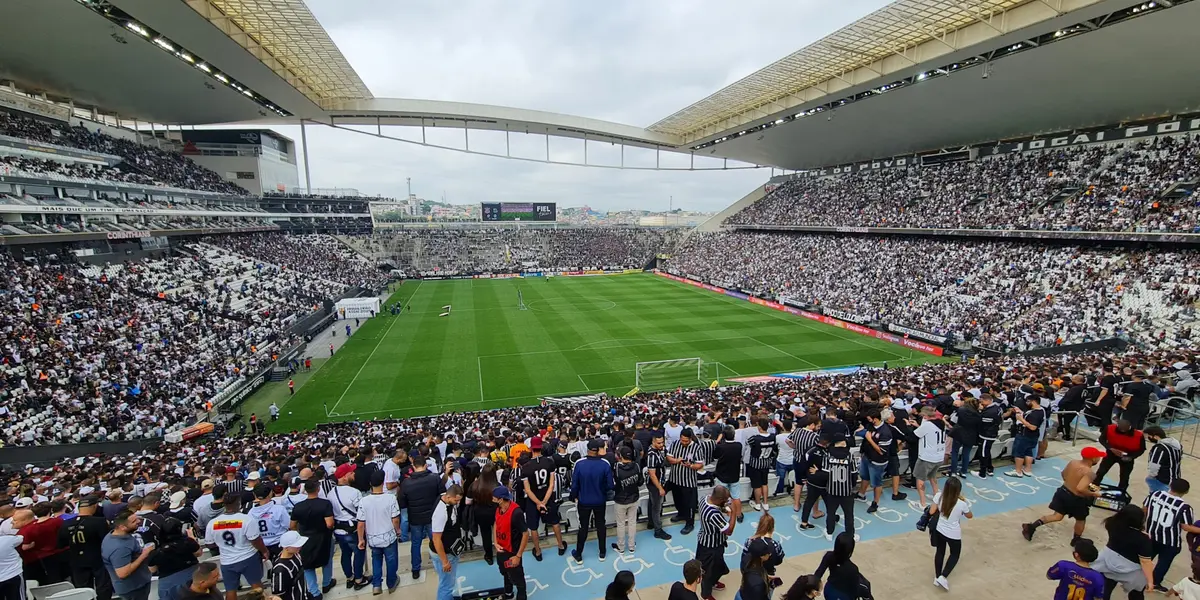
286 37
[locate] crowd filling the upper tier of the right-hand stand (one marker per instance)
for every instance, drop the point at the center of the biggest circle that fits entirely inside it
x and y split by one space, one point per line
1090 188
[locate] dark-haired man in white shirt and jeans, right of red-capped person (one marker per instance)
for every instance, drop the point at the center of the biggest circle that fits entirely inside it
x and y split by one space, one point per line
379 529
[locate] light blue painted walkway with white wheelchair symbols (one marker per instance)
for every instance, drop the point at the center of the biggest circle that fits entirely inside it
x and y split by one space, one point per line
661 562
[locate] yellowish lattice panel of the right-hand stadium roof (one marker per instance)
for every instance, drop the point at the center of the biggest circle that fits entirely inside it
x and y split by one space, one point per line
899 29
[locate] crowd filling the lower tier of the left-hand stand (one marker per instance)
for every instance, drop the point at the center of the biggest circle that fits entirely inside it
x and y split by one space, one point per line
139 349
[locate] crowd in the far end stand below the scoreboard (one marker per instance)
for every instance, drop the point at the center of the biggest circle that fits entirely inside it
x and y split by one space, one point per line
512 250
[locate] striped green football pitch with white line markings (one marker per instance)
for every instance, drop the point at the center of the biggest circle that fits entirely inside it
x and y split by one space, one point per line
579 335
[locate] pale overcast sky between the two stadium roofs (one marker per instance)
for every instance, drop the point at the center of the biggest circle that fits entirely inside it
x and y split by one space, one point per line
632 62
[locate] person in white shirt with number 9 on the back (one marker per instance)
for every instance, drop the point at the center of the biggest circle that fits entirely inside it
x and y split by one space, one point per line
241 547
